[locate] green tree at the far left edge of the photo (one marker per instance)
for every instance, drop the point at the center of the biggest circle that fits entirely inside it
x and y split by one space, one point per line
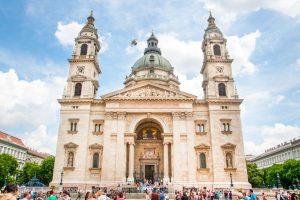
8 168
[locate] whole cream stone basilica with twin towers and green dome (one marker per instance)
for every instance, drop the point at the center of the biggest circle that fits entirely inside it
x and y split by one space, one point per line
150 129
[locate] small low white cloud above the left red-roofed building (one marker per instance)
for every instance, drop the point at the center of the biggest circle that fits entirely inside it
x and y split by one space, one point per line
41 140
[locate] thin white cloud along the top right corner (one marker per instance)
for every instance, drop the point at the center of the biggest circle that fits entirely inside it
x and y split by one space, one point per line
228 12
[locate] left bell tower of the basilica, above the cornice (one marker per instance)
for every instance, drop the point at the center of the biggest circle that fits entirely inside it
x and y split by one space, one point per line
84 67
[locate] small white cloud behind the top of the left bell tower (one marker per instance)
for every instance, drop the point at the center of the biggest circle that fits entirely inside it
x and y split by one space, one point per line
66 34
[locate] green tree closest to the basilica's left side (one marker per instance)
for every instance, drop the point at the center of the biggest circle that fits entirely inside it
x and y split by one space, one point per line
46 170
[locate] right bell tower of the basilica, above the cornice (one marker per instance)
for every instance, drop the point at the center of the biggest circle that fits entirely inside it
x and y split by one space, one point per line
216 69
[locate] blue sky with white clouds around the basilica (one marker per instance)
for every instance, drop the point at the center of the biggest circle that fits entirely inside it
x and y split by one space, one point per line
36 38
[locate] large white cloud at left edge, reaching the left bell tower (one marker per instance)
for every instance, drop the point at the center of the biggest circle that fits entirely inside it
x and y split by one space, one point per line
31 102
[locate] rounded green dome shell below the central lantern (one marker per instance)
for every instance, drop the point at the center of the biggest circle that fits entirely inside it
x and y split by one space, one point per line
152 60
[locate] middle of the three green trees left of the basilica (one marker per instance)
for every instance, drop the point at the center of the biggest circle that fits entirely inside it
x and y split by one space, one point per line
29 170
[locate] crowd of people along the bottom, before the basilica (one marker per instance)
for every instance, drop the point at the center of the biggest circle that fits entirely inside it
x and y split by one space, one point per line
155 191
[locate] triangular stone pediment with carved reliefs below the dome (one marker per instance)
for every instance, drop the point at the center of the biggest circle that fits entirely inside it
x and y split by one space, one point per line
149 91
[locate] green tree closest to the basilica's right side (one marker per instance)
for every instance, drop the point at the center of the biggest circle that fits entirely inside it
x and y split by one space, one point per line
255 175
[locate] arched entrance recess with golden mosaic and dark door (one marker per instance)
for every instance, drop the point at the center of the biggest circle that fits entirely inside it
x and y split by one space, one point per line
148 156
